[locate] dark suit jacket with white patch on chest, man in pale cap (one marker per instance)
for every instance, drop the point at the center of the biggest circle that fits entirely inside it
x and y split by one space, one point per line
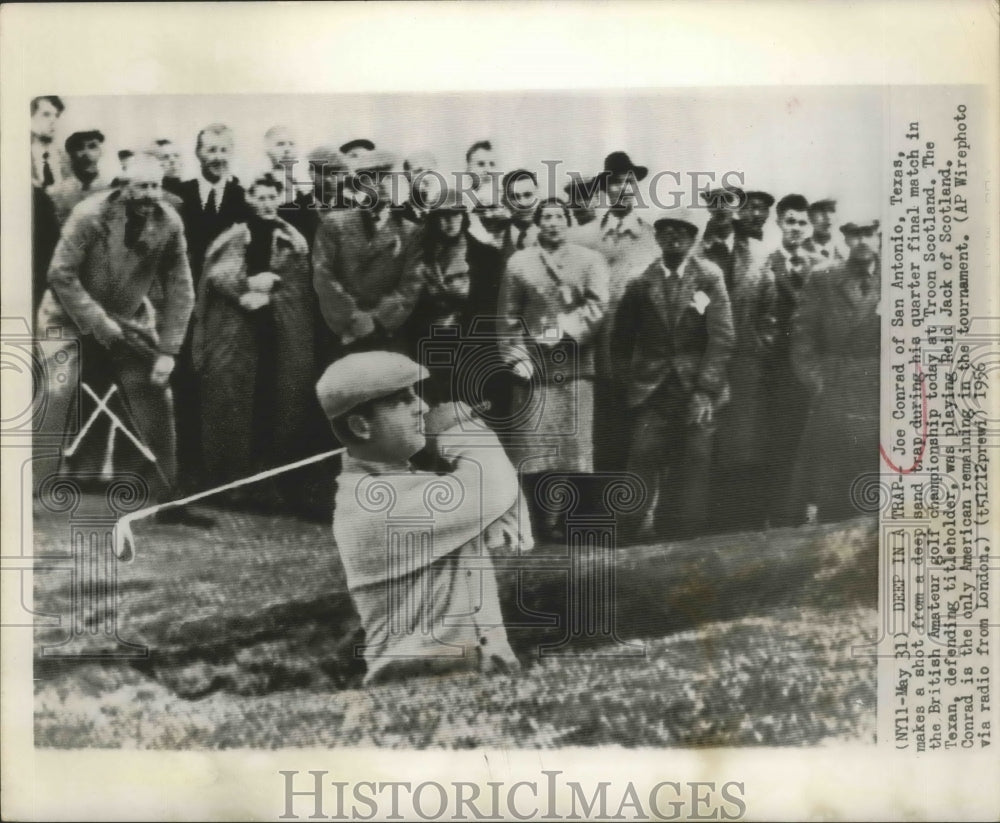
657 337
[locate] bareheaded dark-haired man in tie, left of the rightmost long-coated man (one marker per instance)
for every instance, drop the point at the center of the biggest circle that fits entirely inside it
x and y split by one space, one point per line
790 266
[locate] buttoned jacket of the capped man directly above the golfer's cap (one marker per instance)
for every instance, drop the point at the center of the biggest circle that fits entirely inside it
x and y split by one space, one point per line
358 274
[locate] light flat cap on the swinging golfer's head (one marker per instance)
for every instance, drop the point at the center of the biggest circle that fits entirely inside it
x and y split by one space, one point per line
365 376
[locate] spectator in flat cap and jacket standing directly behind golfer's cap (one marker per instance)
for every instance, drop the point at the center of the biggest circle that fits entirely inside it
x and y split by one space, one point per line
362 264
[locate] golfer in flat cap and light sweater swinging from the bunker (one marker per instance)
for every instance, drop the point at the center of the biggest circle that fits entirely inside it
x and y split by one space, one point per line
420 576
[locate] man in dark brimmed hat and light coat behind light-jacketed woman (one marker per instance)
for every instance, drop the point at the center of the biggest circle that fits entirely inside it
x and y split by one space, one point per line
621 233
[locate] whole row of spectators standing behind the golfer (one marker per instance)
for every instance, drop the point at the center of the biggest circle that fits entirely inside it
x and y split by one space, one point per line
738 382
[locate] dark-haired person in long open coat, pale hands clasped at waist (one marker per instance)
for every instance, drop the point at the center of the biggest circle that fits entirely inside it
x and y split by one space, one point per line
254 343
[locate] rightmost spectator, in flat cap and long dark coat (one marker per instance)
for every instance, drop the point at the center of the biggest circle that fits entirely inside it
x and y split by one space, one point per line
835 353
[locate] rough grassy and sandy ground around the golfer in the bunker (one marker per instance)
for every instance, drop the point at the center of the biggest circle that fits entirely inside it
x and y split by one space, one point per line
246 626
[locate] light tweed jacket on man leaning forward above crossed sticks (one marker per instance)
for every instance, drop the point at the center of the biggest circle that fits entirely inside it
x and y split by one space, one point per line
95 277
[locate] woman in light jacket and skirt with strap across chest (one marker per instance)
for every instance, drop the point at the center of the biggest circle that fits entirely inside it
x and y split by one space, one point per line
552 298
